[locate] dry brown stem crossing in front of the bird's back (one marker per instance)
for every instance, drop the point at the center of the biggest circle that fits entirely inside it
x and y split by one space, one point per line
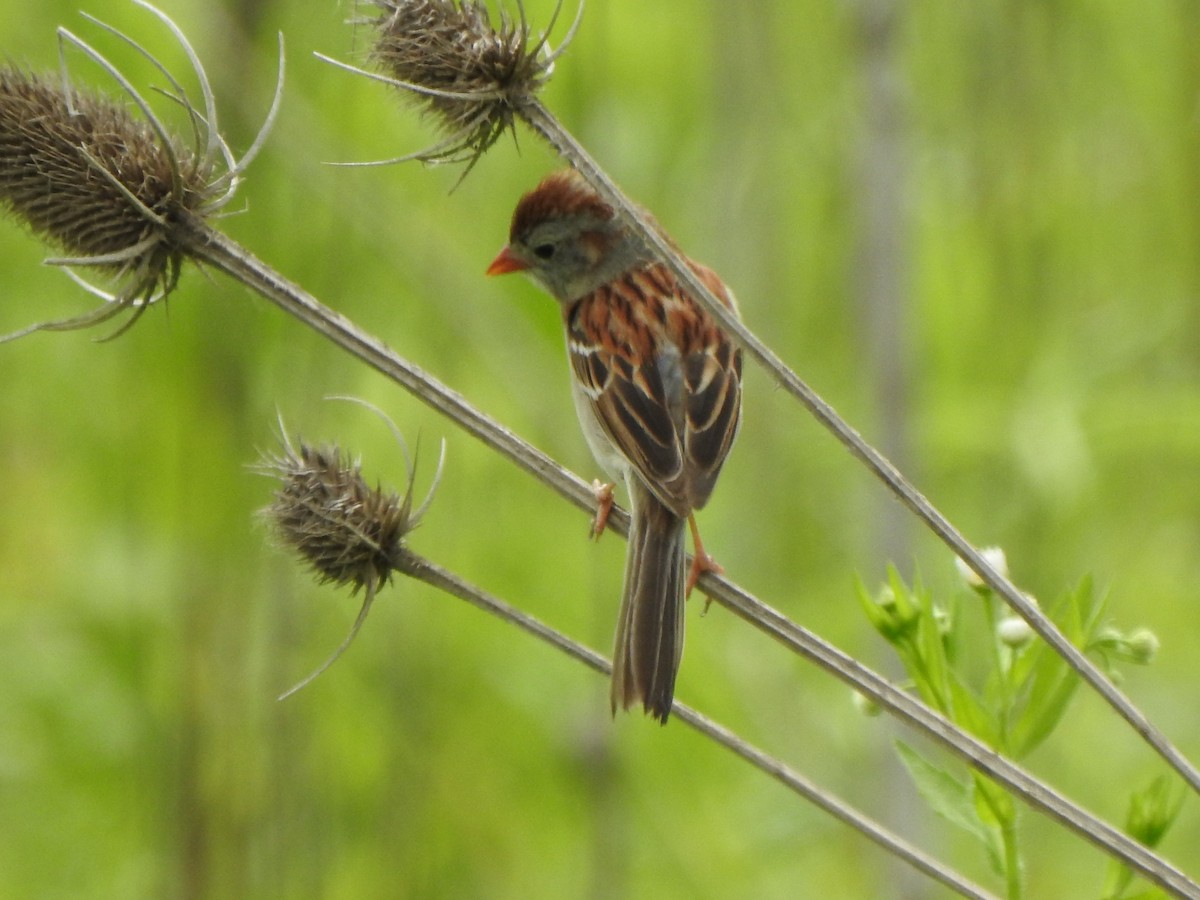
545 124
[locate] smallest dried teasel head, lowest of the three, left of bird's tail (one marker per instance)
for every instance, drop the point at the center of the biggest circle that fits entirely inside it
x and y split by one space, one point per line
347 532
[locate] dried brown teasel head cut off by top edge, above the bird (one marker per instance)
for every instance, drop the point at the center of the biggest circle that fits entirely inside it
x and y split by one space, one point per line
467 74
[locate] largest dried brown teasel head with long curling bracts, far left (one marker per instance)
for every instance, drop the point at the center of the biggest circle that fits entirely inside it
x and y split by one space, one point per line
111 188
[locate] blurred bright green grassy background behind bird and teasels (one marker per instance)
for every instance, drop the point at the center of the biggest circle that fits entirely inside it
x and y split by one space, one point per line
975 229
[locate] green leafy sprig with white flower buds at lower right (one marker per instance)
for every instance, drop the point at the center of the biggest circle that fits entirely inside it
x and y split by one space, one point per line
979 665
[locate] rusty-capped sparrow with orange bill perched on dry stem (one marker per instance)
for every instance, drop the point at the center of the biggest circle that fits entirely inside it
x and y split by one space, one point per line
658 391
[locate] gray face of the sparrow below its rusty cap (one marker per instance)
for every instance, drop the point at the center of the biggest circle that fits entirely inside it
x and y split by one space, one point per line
574 256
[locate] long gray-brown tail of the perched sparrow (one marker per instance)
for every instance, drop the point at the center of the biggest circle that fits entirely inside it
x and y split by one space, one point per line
650 633
